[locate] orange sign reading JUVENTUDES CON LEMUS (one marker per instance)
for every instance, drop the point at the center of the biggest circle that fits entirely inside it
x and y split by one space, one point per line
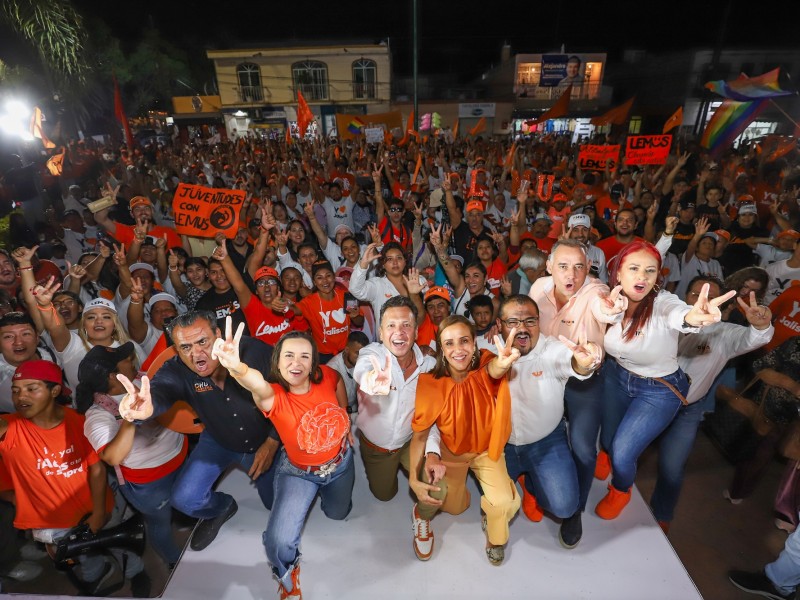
204 212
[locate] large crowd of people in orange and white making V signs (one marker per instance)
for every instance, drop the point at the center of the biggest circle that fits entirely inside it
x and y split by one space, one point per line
456 305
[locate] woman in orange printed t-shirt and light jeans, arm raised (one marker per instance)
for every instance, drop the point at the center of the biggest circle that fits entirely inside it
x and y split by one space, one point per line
307 403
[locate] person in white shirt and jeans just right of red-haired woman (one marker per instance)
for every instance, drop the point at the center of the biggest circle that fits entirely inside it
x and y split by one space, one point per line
702 356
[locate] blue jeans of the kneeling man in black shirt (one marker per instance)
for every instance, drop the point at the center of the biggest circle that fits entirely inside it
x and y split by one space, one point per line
192 494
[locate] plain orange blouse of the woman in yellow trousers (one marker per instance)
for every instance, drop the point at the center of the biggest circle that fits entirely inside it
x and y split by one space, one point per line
473 415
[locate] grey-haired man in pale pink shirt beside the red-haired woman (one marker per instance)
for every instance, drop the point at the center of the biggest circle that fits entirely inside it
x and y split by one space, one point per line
567 302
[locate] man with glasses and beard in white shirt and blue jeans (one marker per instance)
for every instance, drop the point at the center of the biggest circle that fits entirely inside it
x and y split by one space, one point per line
538 447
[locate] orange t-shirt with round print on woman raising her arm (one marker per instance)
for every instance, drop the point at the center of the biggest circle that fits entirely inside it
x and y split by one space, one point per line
312 426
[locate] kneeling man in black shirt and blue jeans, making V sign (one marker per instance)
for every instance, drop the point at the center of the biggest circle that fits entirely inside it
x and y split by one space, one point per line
236 431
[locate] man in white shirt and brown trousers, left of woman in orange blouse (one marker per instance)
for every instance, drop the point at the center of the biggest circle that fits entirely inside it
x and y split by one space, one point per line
387 373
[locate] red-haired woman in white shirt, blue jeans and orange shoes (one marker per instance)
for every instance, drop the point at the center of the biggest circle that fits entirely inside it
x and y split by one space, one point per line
644 385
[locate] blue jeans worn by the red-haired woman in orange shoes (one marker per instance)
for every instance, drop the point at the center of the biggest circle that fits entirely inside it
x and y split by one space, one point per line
636 411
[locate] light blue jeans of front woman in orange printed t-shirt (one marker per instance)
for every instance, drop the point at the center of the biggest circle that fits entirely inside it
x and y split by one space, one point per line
295 491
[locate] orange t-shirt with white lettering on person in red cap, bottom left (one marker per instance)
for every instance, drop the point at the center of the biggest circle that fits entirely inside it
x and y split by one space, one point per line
49 471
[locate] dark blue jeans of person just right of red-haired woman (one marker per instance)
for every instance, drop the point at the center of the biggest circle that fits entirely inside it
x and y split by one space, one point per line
674 448
